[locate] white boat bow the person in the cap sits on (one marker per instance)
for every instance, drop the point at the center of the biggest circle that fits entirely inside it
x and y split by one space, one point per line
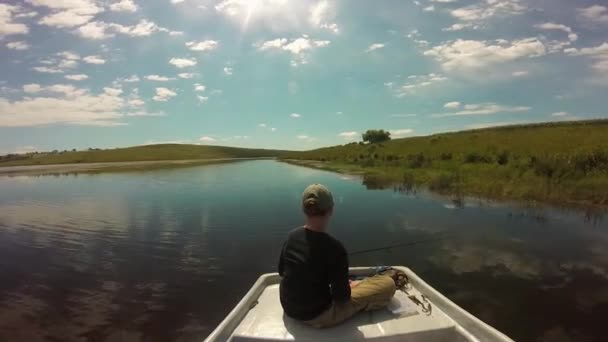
420 313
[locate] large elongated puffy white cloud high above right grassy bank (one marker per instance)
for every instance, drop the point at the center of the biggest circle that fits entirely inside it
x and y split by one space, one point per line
463 55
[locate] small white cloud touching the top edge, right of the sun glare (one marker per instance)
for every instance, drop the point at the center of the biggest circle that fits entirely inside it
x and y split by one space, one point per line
487 9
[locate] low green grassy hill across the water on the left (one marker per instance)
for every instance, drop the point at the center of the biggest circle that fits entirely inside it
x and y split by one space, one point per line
137 153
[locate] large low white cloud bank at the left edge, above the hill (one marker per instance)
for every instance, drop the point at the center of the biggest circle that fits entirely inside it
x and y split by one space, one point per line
64 104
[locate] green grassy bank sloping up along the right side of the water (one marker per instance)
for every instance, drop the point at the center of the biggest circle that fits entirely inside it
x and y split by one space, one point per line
563 163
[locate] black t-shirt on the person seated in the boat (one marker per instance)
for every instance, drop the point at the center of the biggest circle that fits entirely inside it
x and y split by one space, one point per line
314 267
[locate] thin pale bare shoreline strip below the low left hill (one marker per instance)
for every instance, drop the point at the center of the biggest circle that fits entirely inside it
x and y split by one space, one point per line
52 169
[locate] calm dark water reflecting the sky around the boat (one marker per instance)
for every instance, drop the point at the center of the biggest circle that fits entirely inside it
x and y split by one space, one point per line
164 255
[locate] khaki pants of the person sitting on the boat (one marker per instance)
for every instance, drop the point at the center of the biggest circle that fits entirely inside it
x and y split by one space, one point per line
370 294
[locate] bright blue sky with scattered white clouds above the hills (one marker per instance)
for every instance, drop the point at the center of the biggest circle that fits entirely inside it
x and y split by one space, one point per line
291 74
